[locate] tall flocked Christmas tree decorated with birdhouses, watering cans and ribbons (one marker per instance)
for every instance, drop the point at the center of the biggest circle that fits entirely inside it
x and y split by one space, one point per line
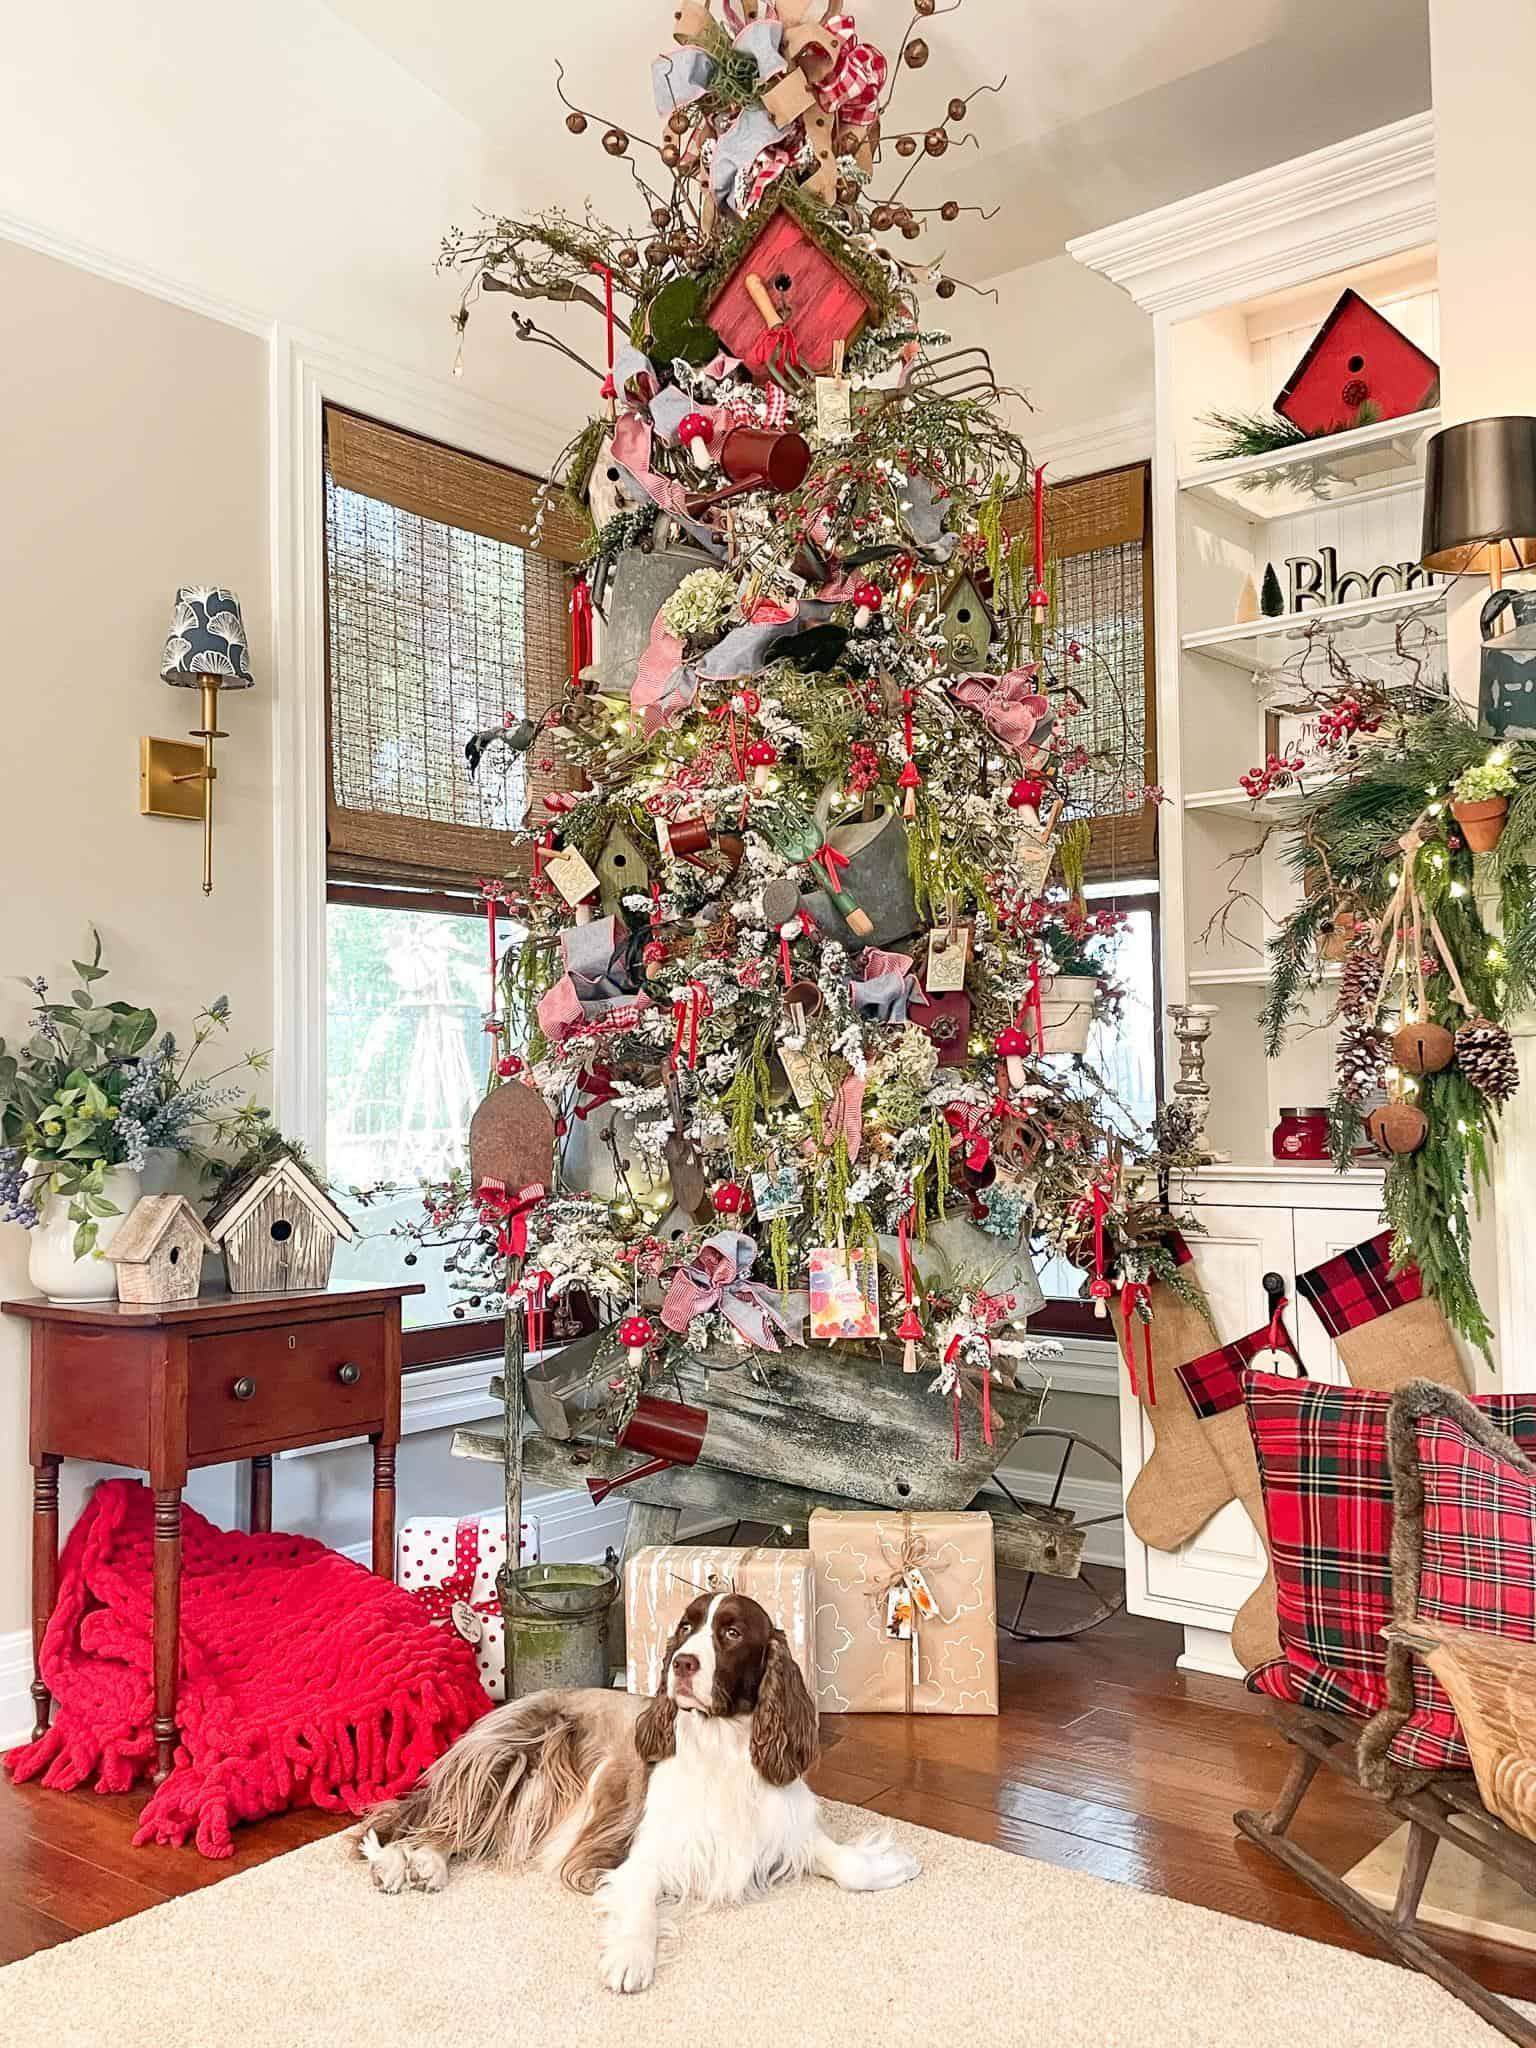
804 953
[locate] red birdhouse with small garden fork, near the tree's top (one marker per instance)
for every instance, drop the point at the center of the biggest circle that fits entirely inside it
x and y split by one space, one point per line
787 300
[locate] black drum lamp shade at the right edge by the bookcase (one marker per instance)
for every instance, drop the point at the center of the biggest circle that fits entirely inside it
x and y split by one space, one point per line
1480 497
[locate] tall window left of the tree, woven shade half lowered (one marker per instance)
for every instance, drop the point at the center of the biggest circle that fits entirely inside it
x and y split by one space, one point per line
441 620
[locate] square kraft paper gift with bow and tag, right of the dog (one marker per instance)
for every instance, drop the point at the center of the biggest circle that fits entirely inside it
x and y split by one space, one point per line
906 1613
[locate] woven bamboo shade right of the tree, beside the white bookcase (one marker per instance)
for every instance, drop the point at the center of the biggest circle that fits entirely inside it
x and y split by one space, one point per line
1099 540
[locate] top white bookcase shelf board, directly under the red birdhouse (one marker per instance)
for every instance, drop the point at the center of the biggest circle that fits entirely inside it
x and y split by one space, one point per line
1369 462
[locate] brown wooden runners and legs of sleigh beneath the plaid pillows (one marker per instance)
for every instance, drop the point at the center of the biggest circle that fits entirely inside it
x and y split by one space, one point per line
1441 1809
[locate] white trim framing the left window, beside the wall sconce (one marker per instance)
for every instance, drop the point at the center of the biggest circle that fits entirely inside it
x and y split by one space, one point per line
304 378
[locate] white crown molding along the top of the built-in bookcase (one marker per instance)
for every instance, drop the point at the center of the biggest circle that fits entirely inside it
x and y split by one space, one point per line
1355 202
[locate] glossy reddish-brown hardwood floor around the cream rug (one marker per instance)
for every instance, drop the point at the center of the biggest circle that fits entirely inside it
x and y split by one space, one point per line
1105 1760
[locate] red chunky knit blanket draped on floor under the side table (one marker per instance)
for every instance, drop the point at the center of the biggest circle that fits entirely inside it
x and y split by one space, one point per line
304 1678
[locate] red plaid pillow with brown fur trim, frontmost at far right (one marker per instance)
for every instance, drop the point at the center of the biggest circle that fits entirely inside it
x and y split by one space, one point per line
1478 1570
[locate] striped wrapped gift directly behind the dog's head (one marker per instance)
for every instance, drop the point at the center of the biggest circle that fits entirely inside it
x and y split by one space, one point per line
660 1584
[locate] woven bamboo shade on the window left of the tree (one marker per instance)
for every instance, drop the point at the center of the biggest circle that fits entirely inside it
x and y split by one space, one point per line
441 622
